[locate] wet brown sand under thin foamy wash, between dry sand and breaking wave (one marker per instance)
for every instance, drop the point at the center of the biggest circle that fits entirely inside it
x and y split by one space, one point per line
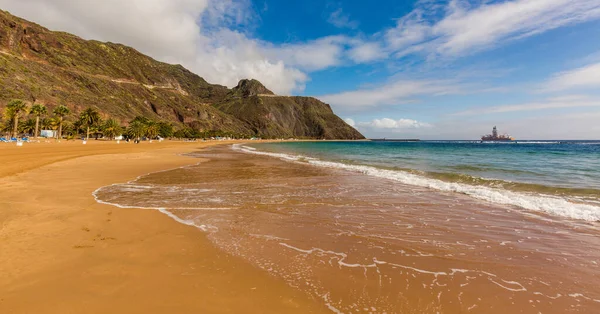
360 244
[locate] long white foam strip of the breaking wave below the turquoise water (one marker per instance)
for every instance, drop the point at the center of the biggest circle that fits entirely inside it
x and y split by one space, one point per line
537 202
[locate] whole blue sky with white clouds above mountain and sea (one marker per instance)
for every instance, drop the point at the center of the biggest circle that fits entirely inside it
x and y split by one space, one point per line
427 69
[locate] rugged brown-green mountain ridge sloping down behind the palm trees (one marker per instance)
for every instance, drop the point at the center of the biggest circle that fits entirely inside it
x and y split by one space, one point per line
55 68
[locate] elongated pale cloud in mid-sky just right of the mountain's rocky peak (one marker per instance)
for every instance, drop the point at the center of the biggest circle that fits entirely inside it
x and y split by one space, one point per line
394 93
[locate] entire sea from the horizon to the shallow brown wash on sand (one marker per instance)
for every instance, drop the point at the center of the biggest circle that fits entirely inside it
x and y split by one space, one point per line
399 227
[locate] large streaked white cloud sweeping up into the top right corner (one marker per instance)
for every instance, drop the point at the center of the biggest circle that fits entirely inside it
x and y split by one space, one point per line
466 28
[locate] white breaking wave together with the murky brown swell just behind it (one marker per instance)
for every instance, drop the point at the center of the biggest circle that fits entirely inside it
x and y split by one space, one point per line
531 197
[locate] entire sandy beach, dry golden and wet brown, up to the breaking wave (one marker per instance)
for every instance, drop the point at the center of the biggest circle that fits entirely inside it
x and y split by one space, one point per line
277 237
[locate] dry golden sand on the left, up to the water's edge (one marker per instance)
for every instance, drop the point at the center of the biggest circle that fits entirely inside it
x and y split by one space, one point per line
62 252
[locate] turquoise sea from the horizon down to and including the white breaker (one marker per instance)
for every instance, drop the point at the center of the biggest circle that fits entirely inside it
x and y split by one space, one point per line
564 175
